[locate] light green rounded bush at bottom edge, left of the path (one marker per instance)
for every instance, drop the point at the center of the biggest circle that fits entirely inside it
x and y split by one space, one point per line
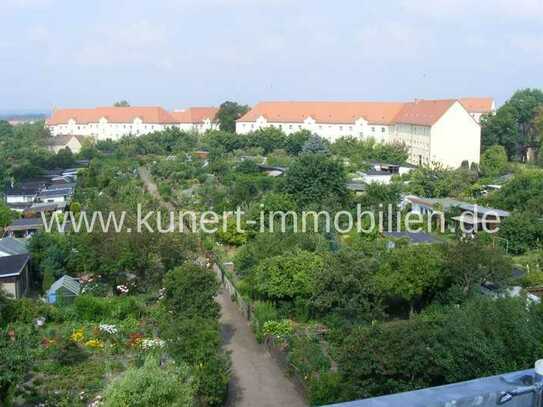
151 385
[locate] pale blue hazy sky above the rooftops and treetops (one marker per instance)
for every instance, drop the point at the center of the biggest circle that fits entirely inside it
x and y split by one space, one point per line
180 53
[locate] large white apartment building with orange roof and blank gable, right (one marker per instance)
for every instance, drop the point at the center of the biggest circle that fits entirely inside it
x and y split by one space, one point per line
441 131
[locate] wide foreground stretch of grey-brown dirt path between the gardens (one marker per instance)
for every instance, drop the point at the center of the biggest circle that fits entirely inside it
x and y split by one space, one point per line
256 380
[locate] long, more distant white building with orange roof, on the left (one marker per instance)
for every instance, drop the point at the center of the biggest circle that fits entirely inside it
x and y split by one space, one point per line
113 123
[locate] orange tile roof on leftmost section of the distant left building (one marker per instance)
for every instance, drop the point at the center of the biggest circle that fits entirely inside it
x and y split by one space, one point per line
154 115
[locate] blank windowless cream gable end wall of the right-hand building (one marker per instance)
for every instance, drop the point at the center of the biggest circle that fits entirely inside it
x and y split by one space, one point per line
456 137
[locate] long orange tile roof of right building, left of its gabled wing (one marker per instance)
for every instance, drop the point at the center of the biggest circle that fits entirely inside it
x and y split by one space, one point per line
325 112
